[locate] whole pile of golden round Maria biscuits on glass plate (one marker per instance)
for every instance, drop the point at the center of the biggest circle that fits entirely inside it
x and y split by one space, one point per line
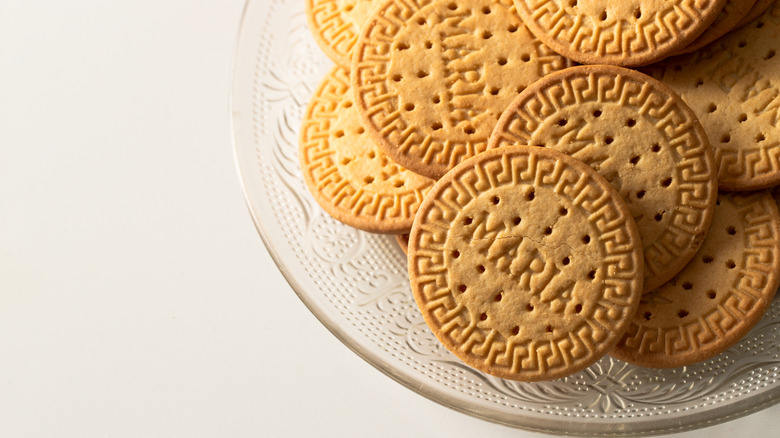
571 179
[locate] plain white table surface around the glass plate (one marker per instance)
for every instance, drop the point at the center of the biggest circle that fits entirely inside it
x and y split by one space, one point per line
137 297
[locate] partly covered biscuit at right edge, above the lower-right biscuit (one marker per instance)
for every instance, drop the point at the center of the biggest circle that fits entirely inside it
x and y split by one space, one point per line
732 86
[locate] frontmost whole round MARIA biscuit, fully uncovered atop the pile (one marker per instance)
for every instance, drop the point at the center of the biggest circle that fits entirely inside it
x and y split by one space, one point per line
525 263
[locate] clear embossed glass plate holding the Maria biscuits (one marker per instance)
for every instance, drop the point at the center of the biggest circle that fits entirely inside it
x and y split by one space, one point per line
356 282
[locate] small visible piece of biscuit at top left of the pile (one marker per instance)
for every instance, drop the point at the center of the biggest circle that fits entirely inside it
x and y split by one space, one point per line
335 24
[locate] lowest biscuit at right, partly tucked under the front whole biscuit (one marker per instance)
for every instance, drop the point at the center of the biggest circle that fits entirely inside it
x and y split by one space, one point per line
719 296
